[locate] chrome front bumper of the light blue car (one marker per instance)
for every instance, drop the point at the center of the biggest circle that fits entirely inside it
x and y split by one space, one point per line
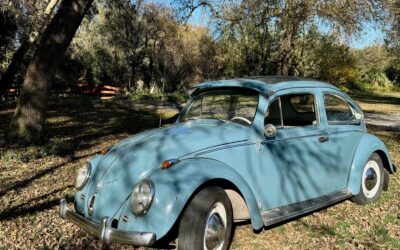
104 232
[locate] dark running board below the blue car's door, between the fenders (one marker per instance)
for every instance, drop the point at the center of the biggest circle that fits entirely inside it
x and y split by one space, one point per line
288 212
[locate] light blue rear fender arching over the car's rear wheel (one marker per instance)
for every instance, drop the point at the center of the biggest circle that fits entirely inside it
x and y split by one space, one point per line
367 145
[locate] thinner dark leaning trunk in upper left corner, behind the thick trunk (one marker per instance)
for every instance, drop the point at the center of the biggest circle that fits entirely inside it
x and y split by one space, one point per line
21 57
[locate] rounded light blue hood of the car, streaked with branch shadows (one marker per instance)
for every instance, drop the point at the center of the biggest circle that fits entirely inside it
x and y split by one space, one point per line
136 157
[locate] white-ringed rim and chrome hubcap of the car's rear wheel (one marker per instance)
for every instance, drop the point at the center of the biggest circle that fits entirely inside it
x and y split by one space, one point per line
371 179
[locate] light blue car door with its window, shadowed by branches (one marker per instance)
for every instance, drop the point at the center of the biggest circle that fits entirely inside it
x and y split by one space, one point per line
293 165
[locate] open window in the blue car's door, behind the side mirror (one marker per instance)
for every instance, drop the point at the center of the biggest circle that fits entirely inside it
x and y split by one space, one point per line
293 111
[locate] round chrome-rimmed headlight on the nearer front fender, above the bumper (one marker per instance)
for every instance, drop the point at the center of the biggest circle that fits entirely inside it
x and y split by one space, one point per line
142 197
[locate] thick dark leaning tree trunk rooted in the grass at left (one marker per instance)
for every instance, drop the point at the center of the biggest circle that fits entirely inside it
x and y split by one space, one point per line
28 121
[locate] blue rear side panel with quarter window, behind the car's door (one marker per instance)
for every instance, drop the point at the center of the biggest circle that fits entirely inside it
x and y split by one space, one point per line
344 130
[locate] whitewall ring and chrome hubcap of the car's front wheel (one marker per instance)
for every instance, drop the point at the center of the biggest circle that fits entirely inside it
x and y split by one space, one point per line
215 227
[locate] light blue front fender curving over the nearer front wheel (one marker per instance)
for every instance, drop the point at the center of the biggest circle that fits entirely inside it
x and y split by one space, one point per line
176 185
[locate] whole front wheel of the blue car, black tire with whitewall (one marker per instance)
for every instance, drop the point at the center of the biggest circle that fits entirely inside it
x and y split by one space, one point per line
207 221
